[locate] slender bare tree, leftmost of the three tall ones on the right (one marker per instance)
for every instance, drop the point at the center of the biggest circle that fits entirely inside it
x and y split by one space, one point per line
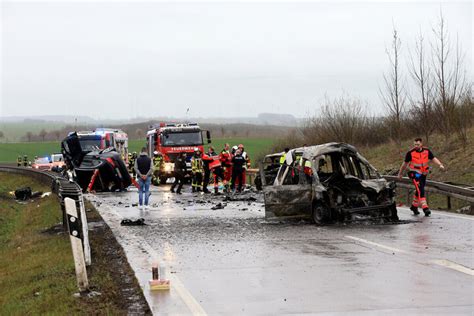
393 94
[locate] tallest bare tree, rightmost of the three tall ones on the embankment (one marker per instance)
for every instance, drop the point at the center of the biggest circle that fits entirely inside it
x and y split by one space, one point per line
449 75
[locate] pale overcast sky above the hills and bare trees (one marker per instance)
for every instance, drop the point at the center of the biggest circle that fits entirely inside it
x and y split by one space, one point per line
127 59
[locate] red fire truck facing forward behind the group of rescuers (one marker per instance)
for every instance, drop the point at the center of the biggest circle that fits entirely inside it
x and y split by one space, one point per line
173 139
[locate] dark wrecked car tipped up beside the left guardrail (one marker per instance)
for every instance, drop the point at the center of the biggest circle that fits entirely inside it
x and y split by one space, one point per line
92 168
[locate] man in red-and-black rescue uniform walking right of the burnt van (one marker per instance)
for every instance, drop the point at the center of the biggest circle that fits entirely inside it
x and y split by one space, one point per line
417 160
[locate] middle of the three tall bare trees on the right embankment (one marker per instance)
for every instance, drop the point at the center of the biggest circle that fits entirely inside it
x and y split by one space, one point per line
422 104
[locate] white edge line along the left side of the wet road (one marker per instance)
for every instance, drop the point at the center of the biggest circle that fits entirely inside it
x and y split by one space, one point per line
176 284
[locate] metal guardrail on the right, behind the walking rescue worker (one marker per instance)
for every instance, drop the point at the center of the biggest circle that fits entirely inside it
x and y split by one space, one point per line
449 190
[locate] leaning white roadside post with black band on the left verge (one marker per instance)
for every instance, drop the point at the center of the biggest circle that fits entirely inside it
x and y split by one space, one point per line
74 226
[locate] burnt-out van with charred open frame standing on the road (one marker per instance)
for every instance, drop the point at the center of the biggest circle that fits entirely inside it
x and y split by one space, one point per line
329 182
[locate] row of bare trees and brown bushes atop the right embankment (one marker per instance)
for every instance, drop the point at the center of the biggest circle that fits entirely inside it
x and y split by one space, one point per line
425 90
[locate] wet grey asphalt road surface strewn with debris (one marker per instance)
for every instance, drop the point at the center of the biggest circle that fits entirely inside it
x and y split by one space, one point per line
232 261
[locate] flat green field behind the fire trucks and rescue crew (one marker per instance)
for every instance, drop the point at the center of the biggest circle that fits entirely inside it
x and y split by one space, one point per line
255 147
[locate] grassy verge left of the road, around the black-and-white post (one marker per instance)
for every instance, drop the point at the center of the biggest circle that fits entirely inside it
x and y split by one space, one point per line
37 273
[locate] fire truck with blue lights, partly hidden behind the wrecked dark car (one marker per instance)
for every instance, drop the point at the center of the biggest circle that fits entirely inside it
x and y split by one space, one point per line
103 138
